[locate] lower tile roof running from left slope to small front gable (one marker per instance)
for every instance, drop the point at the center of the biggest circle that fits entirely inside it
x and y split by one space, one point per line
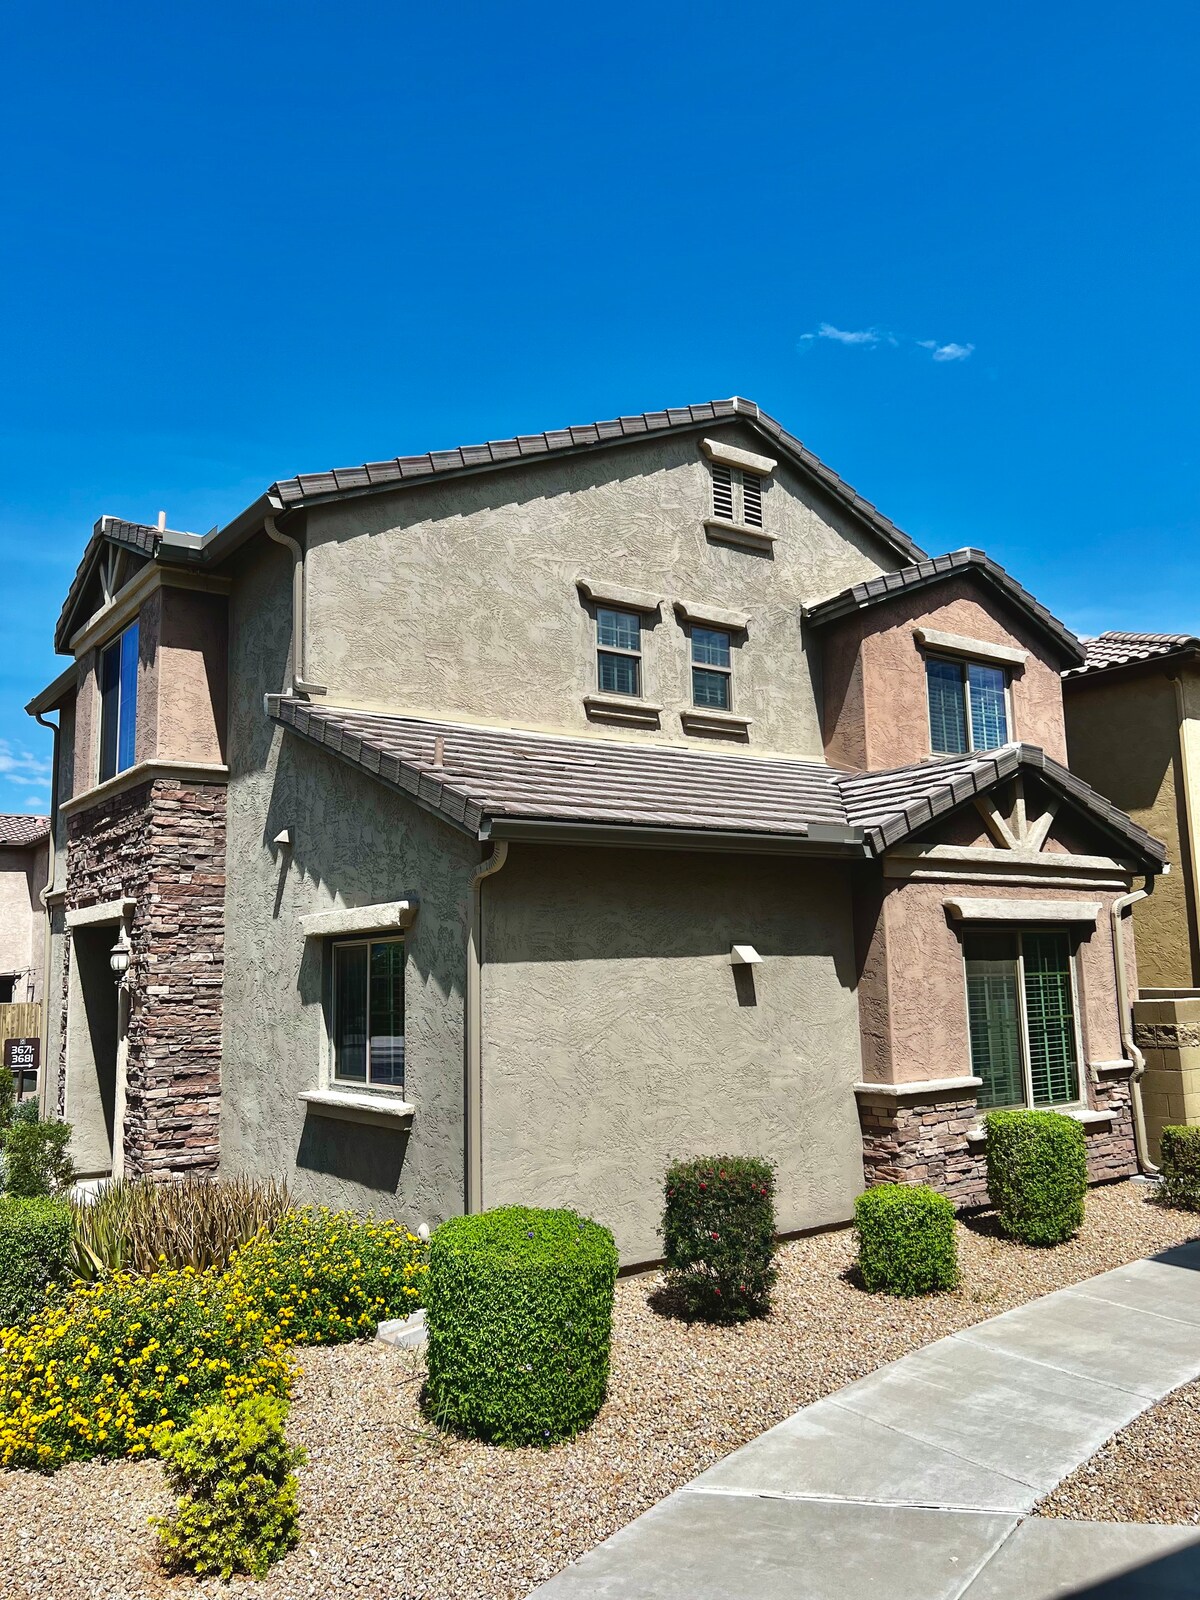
498 783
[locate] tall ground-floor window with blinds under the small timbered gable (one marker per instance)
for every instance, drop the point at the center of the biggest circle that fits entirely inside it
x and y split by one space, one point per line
1022 1018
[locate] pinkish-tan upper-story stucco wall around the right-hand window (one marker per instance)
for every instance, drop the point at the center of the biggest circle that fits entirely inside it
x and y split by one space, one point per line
876 700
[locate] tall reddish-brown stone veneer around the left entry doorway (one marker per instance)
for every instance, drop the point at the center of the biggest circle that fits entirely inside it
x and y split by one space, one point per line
162 844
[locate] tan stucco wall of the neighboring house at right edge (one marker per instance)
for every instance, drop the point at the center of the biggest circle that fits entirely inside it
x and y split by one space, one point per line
1124 740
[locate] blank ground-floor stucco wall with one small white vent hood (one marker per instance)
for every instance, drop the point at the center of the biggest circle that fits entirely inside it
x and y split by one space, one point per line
617 1034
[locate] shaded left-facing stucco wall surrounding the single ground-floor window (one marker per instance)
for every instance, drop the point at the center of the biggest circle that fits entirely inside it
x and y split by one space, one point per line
354 844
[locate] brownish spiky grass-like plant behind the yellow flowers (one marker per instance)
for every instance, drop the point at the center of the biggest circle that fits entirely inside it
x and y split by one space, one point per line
142 1226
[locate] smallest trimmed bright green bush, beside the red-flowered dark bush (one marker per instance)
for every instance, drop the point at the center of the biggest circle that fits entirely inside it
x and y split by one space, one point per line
906 1241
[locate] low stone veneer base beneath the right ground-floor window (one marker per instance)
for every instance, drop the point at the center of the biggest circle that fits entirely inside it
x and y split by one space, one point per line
924 1140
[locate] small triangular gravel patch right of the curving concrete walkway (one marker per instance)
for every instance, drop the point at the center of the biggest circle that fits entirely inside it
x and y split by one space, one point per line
1148 1473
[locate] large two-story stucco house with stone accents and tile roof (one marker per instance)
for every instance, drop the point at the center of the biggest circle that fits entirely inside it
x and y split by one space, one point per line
492 826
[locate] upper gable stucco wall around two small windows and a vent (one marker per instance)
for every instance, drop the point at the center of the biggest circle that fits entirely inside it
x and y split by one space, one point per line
460 599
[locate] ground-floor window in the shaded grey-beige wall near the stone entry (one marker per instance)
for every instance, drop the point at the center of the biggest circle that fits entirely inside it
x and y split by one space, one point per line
369 1012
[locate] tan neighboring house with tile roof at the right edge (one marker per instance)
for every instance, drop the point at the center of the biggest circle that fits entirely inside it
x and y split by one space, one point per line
1134 730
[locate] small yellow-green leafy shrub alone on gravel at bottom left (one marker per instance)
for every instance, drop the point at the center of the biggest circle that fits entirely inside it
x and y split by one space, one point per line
234 1476
